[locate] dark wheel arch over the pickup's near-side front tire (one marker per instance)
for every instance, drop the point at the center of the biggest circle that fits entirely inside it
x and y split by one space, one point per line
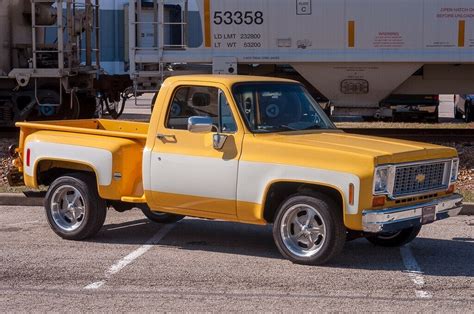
277 191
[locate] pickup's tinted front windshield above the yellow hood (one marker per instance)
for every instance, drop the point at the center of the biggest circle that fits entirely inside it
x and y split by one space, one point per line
277 107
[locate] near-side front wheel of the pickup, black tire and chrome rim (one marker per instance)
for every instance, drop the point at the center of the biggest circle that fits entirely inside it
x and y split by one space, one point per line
326 213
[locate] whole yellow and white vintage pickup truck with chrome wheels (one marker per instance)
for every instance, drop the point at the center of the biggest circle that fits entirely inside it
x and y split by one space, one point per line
238 148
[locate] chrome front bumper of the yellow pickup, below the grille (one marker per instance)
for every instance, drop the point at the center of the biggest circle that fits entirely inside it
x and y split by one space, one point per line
395 219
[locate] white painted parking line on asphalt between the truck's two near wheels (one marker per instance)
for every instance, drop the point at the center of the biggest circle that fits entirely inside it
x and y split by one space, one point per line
119 265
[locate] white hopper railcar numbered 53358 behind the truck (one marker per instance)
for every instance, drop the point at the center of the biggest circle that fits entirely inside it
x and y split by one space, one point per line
355 52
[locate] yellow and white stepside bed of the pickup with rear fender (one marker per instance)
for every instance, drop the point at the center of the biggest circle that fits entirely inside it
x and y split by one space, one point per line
111 149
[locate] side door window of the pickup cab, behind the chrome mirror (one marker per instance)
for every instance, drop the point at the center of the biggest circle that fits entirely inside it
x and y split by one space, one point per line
191 101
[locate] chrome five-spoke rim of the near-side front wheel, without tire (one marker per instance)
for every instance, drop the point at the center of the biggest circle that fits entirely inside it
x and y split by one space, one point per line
303 230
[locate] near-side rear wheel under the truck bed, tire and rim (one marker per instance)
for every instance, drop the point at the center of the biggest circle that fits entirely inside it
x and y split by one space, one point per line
94 207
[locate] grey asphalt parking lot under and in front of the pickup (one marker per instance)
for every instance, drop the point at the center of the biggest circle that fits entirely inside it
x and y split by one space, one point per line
200 265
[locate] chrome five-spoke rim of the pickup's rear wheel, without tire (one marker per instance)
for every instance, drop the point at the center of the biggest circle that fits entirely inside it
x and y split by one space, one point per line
68 208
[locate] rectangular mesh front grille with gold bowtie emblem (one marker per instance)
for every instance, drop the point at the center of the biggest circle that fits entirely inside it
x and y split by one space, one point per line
418 178
